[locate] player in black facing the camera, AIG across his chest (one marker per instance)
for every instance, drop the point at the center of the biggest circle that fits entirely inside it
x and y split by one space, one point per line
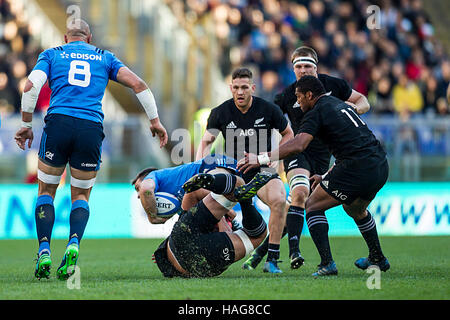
246 123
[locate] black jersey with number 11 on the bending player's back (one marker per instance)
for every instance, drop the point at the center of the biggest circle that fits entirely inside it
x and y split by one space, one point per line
340 128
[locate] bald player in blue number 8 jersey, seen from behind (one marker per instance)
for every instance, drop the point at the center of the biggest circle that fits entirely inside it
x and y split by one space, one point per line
78 74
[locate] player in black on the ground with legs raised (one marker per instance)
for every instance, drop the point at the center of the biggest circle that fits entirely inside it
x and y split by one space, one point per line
194 247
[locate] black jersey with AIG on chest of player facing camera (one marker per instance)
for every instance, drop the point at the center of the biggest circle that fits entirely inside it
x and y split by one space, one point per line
250 131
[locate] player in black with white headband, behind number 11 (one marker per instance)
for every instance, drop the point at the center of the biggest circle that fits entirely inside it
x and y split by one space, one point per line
314 160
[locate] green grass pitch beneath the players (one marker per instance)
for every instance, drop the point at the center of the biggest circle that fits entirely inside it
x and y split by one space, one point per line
122 269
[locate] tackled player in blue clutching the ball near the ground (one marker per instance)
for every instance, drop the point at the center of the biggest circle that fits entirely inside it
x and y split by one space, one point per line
150 182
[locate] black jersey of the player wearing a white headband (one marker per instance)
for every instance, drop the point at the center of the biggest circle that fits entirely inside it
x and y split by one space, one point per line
287 101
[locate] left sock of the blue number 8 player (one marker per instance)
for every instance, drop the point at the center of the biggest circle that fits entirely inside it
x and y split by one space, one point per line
44 215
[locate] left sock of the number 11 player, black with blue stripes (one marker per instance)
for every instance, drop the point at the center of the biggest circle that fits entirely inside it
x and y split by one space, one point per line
318 228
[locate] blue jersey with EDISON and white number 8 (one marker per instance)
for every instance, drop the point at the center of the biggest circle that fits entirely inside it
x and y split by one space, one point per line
78 74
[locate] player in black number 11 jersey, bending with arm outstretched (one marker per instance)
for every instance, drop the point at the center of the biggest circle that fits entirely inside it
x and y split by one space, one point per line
360 171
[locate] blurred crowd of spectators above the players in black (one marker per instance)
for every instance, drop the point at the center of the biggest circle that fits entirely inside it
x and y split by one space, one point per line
400 65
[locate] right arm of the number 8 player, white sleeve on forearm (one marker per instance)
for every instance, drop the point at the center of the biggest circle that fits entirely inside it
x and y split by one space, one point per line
129 79
